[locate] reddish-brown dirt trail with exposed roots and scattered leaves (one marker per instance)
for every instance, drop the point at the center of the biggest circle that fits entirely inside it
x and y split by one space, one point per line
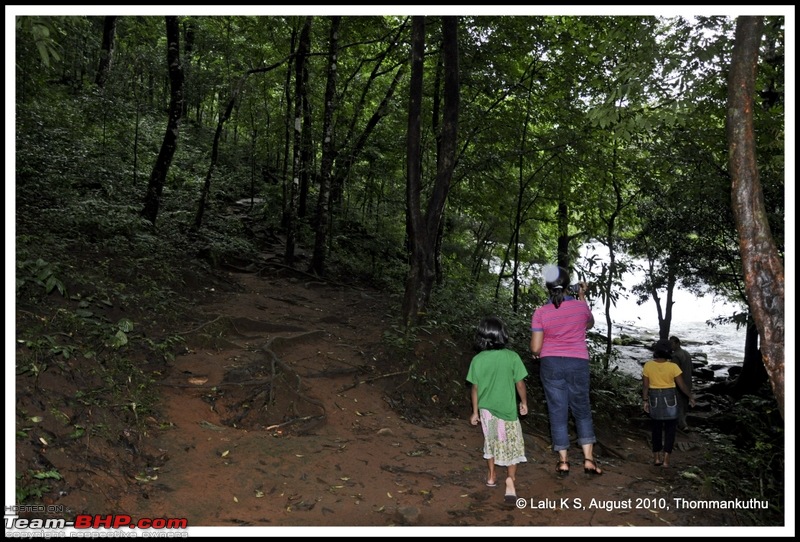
278 416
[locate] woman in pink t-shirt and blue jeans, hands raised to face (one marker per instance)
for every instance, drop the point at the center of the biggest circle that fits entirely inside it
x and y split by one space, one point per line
559 340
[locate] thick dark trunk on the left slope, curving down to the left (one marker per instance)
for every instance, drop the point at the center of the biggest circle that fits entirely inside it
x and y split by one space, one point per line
158 177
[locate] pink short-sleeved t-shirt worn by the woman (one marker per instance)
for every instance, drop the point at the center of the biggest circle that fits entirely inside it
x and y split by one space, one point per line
564 328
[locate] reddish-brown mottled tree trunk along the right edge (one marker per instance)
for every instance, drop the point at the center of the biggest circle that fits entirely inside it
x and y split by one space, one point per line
762 264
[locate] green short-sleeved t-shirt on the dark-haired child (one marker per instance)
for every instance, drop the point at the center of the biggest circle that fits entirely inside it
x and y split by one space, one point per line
496 373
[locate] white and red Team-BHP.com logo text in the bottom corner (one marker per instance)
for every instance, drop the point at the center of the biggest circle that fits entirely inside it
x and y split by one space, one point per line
97 521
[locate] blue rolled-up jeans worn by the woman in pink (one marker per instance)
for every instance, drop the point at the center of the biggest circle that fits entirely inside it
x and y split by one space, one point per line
566 388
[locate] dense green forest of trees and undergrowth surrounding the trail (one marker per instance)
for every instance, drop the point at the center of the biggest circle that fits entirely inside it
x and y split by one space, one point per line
445 159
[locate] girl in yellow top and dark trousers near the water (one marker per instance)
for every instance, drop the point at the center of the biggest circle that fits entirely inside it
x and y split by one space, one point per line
660 377
